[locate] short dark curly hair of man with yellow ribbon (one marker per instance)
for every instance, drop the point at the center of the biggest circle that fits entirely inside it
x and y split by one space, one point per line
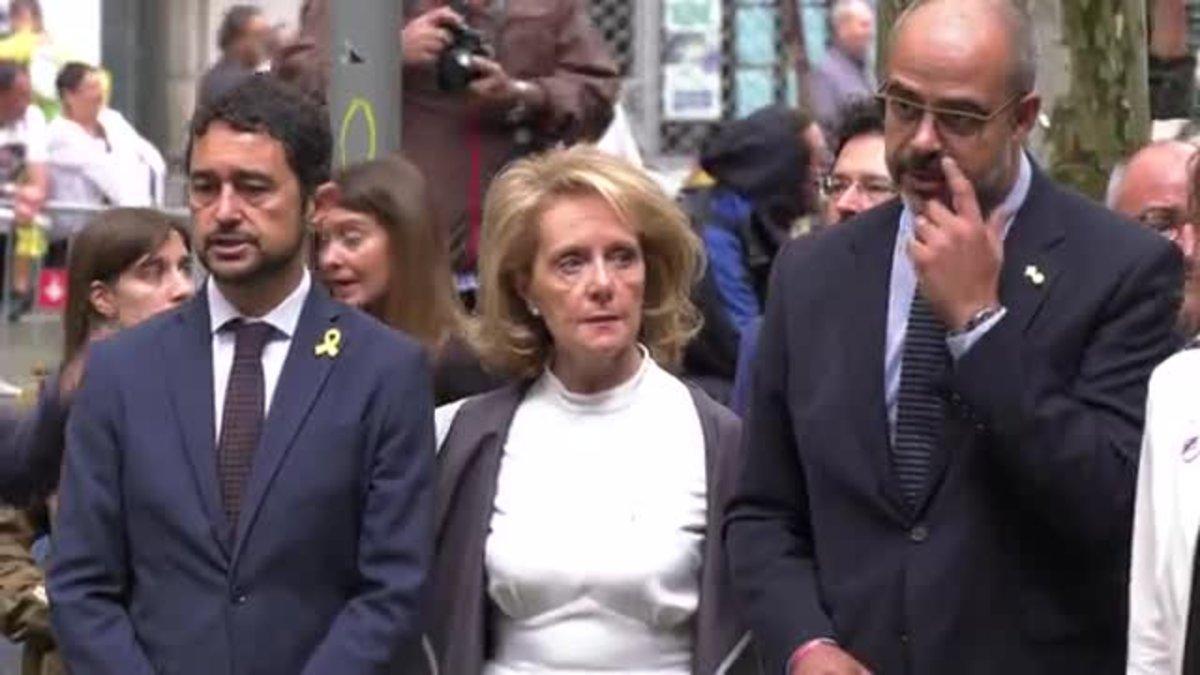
262 104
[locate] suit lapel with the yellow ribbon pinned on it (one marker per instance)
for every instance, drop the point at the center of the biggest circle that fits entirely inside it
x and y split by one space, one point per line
303 377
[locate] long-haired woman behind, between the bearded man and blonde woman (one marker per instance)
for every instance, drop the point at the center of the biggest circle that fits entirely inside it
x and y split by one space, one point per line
377 250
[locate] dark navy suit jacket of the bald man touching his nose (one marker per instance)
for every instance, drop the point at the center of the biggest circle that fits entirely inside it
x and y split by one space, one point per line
1016 561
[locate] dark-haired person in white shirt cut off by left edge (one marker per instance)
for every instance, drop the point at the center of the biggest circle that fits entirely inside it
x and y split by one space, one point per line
25 177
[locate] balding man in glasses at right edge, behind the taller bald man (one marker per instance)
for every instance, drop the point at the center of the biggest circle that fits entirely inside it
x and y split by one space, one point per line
1155 188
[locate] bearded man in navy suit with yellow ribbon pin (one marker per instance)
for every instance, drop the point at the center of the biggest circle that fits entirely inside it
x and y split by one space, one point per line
248 481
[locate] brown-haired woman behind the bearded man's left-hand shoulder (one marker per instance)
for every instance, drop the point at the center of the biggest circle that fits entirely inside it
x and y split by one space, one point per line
128 266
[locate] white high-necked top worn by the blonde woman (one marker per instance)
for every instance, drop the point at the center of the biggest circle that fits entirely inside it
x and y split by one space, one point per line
596 545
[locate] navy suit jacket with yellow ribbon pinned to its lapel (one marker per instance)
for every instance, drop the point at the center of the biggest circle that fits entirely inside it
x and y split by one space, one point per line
332 552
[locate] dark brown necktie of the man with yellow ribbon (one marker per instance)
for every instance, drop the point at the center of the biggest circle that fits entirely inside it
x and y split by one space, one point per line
242 423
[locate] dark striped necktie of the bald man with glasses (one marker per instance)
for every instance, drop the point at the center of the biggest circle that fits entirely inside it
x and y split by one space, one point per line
920 413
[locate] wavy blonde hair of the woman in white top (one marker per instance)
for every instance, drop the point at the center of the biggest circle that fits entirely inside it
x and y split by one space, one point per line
506 334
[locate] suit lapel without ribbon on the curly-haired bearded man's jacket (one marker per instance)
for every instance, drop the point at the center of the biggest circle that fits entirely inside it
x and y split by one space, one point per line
188 347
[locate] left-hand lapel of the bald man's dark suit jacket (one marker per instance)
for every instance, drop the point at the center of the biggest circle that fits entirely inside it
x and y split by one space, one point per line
874 247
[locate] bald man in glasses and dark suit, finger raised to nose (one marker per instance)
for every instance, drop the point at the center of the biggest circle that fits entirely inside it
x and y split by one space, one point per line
947 408
